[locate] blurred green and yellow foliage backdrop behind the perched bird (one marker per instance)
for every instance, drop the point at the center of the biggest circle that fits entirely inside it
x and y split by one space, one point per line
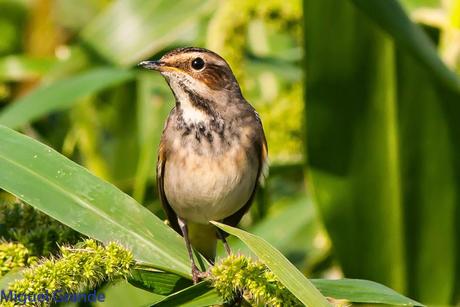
360 101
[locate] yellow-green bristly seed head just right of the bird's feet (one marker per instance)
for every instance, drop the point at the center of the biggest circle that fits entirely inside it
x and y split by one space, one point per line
238 275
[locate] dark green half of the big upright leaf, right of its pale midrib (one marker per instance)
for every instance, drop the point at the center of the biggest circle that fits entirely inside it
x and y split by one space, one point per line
428 157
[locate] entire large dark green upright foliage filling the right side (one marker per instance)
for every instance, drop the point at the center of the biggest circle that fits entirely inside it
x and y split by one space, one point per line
382 144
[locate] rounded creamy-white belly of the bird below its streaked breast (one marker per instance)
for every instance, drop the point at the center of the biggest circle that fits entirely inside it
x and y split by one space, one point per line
202 188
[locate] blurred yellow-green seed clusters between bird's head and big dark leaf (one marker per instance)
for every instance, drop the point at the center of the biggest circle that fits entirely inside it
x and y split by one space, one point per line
271 32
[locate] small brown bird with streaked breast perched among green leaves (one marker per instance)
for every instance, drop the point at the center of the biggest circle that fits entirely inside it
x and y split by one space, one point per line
213 150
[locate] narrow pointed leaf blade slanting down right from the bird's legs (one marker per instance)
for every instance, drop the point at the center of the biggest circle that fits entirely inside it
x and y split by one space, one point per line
286 272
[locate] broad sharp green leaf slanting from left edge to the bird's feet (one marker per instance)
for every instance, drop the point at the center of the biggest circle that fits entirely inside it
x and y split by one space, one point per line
69 193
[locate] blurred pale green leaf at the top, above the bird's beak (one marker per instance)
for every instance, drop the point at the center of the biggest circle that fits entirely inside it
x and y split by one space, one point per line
130 31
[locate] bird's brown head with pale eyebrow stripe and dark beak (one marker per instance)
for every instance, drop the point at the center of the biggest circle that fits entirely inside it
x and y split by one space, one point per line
197 72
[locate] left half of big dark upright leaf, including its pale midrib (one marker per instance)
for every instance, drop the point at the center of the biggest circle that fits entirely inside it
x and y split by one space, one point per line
352 140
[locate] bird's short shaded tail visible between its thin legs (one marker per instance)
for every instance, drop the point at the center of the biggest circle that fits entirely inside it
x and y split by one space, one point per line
203 238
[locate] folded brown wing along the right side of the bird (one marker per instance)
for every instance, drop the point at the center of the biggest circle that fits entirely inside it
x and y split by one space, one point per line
262 153
